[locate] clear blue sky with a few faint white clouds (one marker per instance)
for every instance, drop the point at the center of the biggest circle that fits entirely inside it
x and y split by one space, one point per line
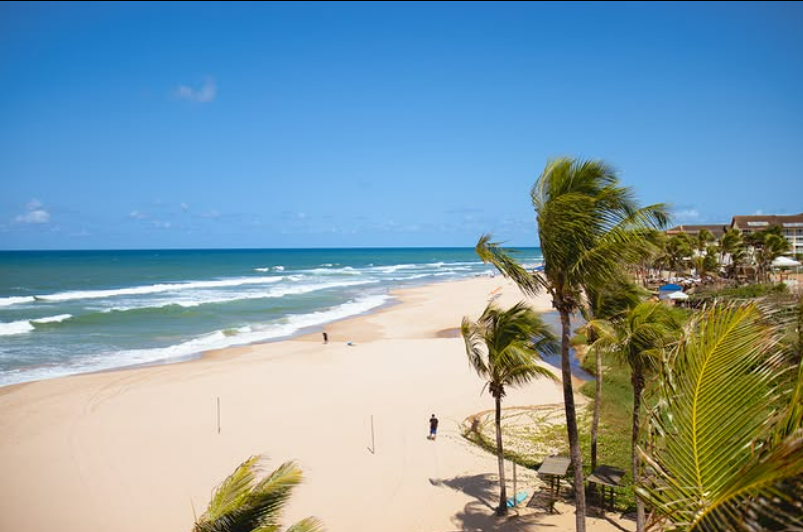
340 125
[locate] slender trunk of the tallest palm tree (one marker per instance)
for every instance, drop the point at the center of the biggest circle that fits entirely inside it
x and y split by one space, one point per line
571 422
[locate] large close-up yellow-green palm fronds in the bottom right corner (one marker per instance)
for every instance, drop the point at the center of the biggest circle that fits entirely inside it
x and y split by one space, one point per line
728 452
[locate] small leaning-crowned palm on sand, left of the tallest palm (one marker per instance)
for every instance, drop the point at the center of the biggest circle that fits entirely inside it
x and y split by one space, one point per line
503 347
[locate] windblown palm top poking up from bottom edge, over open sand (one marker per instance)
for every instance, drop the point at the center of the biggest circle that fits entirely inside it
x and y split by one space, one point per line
244 504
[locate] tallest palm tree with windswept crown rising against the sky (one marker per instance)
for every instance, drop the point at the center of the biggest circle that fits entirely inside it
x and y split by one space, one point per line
588 226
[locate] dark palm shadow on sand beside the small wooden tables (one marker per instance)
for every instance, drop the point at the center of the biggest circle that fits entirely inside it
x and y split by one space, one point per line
480 515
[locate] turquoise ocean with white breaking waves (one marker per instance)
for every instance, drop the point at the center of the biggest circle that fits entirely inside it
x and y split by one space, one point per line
70 312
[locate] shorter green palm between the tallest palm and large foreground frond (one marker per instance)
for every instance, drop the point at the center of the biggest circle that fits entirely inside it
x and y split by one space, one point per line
640 339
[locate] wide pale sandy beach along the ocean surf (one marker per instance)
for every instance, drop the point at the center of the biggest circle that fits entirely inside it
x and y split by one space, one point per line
139 450
